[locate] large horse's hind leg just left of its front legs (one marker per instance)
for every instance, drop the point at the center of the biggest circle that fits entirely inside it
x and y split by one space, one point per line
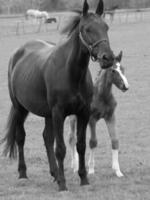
48 136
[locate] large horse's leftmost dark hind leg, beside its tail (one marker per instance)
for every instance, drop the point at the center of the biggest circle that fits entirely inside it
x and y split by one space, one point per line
20 140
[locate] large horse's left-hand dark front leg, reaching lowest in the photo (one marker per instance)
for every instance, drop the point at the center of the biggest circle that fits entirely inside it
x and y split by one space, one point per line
58 122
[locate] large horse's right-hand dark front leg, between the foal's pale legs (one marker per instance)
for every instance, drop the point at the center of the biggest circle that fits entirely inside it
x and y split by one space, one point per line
82 121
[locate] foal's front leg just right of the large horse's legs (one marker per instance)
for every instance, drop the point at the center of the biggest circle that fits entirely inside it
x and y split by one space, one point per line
92 144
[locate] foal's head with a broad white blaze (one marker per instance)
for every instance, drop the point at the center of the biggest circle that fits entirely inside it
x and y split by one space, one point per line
117 74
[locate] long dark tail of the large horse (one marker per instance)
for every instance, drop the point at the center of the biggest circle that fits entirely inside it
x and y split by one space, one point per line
10 137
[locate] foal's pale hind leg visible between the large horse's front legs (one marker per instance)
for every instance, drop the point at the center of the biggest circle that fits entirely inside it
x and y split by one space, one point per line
72 142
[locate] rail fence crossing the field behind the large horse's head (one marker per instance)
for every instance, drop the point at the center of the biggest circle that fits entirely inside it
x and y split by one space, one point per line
16 24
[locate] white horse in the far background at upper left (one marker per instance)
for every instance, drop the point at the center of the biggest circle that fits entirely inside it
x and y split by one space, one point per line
36 14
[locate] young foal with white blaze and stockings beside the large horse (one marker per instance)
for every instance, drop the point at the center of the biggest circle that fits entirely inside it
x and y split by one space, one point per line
102 107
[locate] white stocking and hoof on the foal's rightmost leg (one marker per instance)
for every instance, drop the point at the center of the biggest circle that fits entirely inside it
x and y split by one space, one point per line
115 163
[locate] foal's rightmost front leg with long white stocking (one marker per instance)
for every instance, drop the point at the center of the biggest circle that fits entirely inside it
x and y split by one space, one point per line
115 144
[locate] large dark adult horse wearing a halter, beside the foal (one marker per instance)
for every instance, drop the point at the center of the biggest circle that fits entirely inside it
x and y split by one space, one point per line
54 82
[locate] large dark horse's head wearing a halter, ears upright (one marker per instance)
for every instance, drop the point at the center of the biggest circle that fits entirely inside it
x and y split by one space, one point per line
93 35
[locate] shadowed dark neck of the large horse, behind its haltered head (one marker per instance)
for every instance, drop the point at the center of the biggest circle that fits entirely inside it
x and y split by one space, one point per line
78 61
